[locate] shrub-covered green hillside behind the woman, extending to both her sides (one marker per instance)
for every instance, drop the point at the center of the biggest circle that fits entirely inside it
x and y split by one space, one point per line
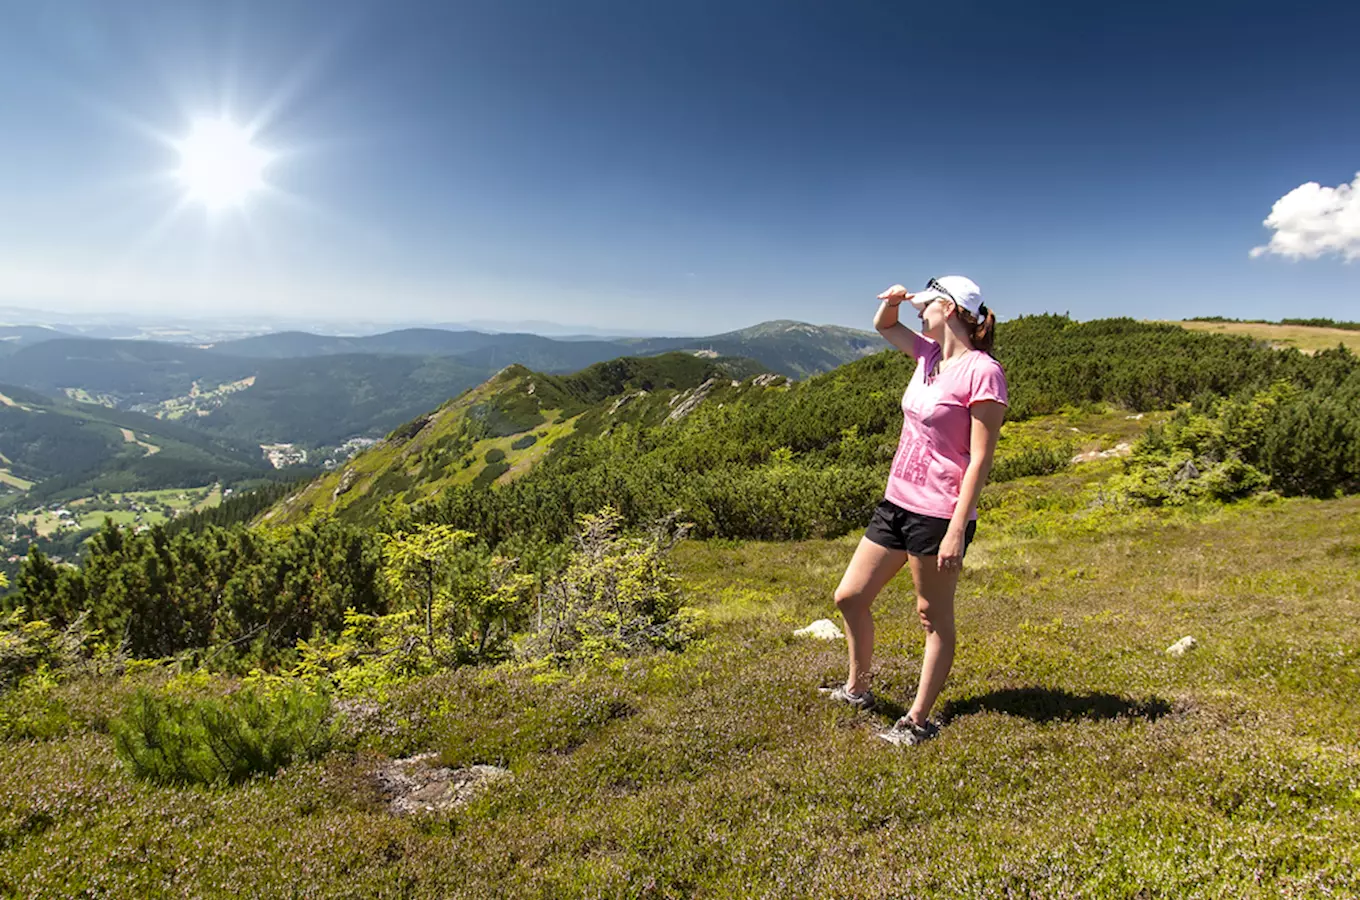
810 460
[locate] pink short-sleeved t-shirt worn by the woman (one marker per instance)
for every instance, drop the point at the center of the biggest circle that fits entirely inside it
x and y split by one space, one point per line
936 429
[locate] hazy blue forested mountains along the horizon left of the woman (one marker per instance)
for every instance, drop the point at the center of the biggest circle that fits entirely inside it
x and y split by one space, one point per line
319 391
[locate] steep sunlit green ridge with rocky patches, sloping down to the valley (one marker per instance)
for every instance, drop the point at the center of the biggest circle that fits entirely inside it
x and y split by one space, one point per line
501 429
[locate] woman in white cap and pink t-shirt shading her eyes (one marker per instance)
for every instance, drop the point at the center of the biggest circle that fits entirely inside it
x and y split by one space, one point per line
953 414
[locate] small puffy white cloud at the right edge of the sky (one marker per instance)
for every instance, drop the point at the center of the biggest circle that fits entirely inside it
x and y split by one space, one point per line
1313 221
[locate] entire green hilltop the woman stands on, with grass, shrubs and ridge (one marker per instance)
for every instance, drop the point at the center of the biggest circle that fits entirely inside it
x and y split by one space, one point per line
655 723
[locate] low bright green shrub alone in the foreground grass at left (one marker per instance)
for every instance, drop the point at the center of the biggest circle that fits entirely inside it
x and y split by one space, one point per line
209 742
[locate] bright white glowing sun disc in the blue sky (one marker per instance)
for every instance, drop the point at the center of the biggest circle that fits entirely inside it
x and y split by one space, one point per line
220 167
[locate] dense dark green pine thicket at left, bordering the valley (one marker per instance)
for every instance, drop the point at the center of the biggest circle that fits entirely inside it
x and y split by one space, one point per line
158 595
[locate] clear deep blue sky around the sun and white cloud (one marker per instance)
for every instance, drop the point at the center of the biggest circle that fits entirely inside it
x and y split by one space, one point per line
685 167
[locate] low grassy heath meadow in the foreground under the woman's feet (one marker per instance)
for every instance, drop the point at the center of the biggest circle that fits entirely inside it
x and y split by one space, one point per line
1078 758
